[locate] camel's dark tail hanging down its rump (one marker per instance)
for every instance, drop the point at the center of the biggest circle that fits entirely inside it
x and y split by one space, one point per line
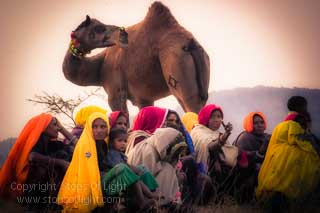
202 64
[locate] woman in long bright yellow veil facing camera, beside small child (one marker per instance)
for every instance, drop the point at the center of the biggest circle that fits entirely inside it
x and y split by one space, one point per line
81 189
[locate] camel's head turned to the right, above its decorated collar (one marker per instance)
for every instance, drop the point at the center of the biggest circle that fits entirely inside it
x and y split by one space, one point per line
92 34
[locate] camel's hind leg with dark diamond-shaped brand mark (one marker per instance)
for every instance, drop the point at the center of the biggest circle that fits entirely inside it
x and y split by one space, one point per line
180 74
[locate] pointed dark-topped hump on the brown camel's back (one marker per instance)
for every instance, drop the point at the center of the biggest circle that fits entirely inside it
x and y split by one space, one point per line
159 13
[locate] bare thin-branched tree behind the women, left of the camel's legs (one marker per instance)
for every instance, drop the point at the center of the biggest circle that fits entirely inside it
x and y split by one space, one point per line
57 105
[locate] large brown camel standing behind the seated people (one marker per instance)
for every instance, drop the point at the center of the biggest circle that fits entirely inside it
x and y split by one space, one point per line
161 58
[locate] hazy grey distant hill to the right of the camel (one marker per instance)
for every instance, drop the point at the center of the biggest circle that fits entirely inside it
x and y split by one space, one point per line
272 101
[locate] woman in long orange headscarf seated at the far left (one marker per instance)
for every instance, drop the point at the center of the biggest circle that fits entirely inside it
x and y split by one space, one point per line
31 149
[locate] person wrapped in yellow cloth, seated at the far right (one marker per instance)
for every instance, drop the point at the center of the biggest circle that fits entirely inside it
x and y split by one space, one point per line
291 168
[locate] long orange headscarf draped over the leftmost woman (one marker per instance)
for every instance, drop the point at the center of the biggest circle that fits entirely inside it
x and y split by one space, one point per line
16 167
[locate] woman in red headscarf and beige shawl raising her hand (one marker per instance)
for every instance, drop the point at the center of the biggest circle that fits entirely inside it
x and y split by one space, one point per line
220 160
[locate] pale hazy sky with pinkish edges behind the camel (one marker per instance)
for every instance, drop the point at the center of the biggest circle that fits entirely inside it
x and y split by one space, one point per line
272 43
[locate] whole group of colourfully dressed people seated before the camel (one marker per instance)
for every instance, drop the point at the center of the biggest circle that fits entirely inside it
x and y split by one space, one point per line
163 159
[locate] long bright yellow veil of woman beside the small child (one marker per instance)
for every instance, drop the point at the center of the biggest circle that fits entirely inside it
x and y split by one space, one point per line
80 190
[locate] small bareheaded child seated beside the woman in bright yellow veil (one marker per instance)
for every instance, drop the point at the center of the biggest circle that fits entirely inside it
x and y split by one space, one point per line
116 161
